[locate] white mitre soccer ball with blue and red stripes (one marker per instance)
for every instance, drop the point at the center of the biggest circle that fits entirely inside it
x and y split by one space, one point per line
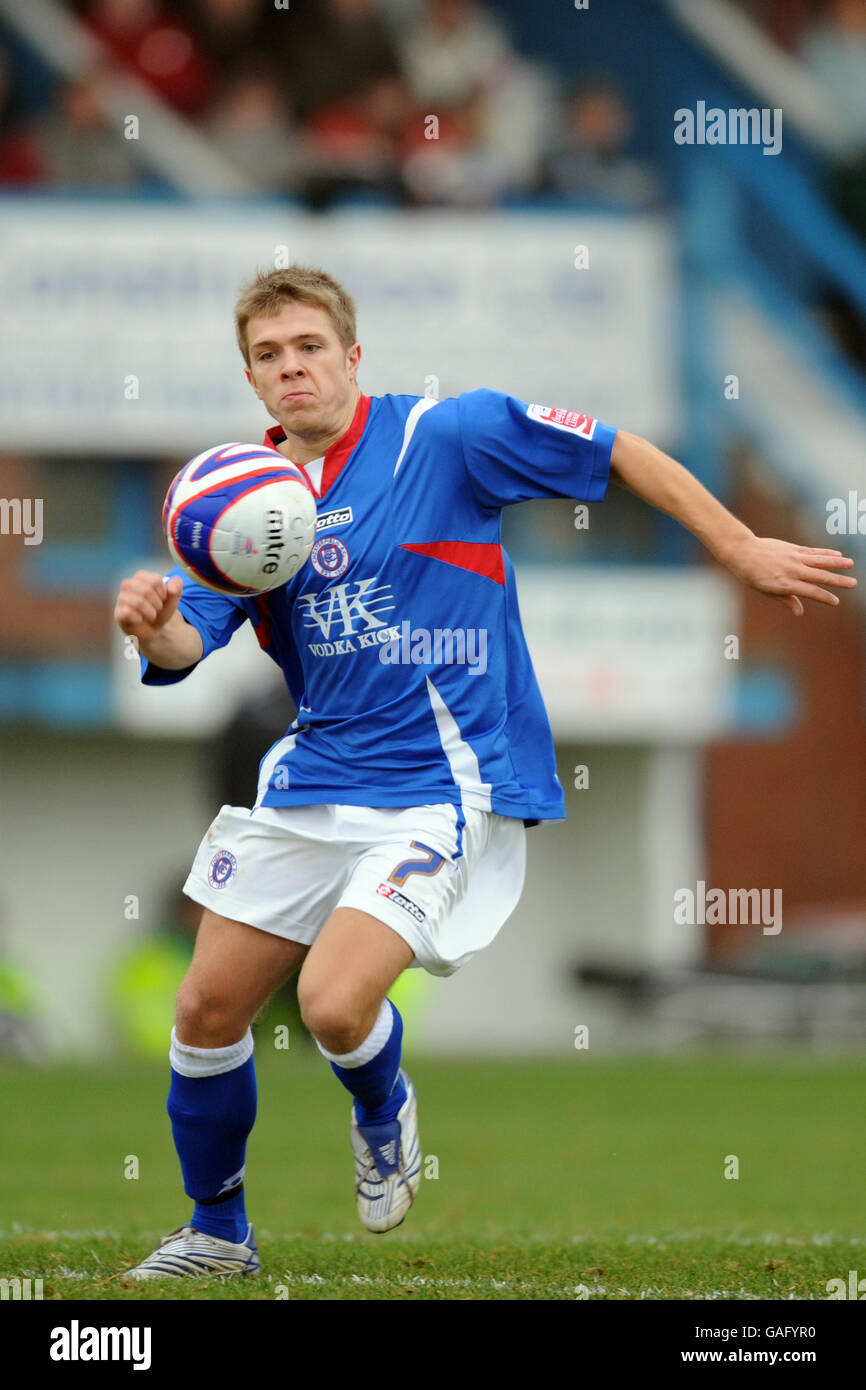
240 519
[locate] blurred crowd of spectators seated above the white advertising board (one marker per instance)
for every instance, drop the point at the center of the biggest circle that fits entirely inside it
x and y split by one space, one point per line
422 102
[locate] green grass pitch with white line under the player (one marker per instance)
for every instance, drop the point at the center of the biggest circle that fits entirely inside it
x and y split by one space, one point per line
601 1179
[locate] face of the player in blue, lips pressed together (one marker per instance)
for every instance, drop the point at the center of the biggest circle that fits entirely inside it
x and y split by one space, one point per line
301 370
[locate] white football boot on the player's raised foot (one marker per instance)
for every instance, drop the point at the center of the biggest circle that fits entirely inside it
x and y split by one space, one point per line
389 1166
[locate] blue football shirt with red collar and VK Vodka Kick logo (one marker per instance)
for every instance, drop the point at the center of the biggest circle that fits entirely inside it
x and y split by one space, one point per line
401 639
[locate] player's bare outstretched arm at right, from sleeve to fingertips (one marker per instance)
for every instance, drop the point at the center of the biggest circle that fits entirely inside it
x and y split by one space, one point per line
778 568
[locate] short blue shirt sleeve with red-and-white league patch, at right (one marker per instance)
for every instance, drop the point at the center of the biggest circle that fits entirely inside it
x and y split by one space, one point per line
515 451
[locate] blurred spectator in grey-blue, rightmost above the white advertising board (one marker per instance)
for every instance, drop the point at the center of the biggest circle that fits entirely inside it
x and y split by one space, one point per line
590 159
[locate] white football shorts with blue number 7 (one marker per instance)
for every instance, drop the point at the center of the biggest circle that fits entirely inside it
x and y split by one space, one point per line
446 879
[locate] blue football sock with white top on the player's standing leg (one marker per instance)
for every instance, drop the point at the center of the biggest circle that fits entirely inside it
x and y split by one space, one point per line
212 1117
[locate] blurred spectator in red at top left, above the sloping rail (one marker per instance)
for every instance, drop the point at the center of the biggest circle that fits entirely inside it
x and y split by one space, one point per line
145 38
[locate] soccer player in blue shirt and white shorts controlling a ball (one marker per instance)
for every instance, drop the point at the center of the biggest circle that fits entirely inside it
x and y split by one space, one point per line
389 828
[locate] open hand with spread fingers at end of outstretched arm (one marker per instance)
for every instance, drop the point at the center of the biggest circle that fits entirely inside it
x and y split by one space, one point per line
790 572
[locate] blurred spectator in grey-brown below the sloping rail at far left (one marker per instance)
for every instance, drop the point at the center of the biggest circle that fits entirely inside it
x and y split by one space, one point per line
79 145
